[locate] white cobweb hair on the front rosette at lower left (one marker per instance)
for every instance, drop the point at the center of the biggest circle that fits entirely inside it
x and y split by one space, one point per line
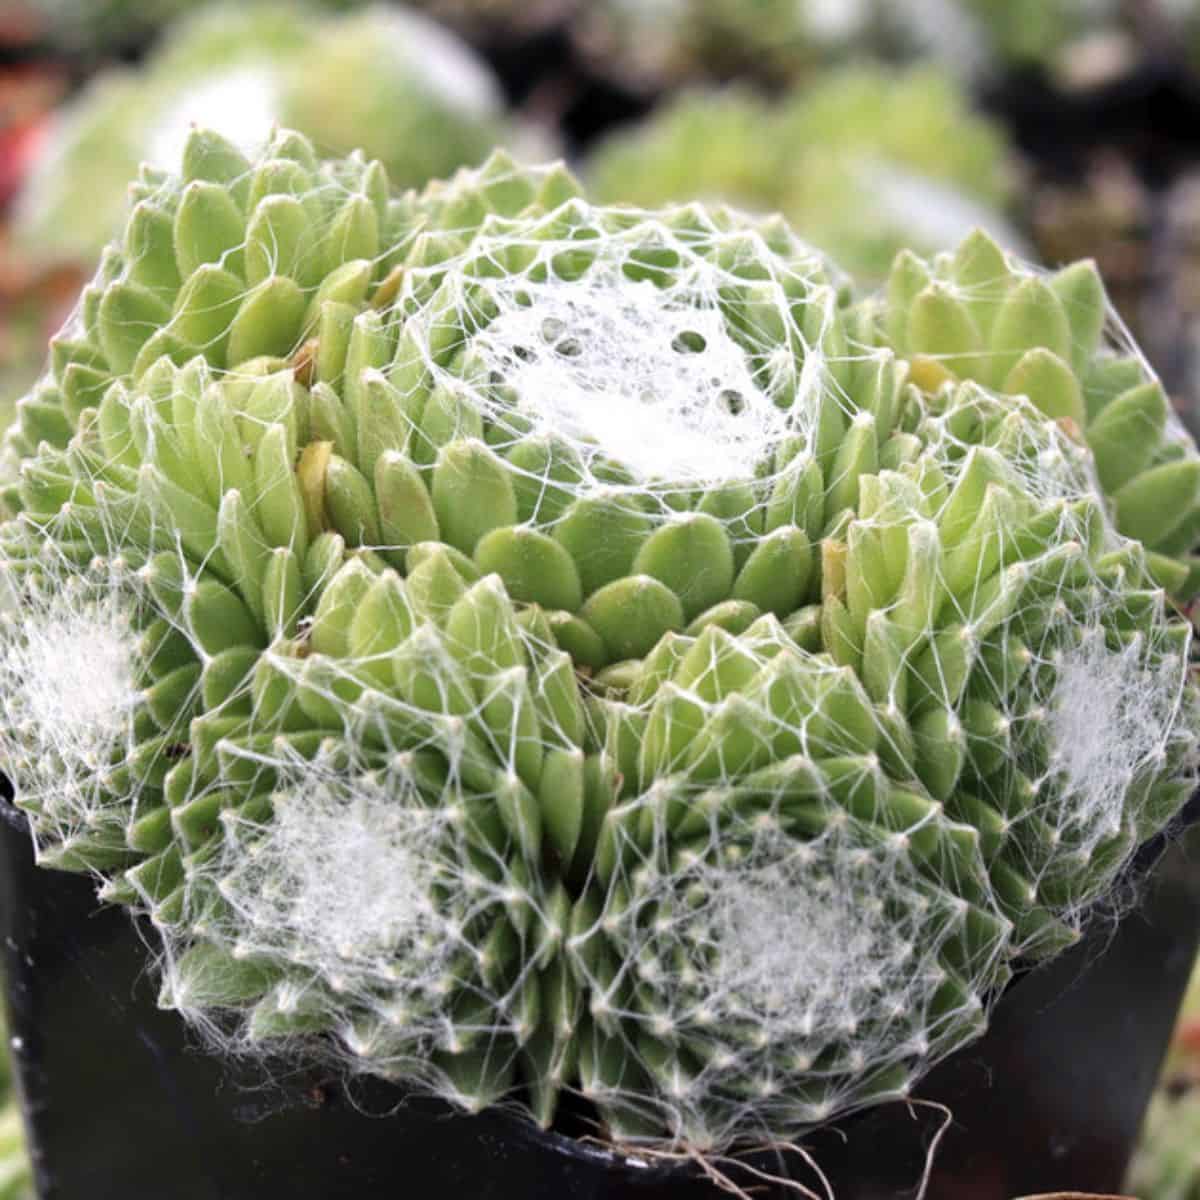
355 883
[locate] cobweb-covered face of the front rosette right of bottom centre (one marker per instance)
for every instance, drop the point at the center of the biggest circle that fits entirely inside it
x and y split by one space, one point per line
807 979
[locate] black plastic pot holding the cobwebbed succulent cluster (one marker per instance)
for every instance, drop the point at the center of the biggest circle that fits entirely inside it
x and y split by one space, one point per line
122 1103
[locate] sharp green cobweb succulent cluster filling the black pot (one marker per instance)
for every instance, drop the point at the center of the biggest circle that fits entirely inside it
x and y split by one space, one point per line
511 645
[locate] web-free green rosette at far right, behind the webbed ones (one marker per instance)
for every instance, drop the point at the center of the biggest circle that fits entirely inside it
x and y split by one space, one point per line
973 317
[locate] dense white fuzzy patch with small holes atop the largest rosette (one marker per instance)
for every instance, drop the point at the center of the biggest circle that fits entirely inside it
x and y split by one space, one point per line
619 365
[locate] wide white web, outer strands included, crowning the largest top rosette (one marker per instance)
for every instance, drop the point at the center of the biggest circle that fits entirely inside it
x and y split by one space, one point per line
634 346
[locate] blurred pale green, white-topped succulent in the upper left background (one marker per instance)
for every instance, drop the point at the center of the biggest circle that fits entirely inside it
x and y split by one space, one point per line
425 105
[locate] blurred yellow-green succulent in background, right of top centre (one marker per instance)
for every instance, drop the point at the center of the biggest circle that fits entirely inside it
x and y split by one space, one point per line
861 161
